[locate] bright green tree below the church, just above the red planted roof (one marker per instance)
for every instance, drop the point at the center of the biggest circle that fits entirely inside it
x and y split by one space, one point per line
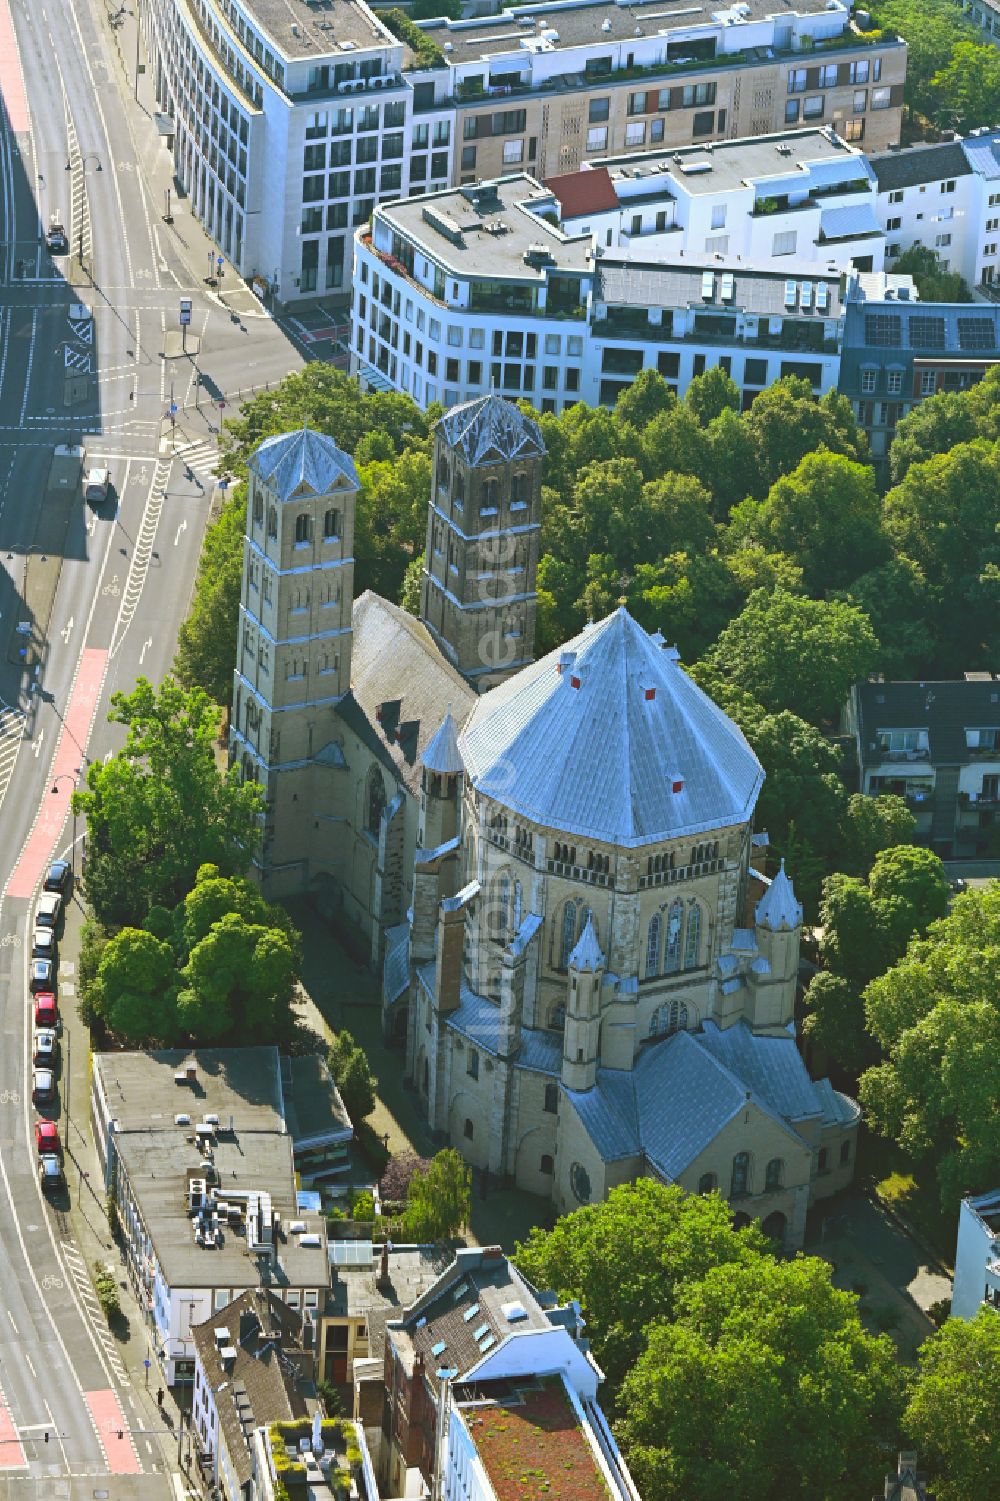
673 1239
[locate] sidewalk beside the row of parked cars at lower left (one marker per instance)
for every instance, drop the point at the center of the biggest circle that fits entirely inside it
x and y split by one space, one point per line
130 1346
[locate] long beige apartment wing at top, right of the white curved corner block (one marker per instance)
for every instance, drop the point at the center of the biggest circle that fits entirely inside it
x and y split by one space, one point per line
550 86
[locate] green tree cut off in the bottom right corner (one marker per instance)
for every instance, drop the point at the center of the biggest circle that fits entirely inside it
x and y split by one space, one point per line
954 1412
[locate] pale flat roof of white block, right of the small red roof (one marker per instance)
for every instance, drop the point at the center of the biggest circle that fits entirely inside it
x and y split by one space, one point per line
727 166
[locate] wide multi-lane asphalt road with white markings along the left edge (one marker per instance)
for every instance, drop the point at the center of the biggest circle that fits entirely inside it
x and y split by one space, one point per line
104 385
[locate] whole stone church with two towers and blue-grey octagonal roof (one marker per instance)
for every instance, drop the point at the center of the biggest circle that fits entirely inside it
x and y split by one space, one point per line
553 864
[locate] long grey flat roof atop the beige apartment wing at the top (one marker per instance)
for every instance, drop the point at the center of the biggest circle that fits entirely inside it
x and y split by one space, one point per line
567 26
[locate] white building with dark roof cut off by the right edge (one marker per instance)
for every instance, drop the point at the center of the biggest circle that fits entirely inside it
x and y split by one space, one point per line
945 197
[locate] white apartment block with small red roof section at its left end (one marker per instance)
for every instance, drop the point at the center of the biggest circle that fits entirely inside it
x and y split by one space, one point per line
801 194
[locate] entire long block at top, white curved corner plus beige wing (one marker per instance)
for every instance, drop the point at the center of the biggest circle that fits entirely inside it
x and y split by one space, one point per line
292 119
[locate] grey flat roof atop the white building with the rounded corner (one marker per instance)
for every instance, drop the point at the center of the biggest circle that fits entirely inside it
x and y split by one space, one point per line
489 229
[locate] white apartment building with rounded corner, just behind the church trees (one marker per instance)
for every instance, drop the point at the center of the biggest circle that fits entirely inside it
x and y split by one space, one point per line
478 289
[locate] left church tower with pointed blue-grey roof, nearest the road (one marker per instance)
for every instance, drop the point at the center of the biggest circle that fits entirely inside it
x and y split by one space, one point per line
295 636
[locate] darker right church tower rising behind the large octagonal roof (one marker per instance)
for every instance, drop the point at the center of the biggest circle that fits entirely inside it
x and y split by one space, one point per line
483 540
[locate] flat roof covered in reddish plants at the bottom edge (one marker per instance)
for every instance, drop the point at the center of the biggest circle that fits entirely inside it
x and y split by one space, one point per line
532 1430
